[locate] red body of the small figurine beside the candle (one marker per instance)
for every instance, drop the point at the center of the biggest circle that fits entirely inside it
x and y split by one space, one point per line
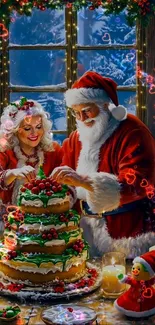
139 300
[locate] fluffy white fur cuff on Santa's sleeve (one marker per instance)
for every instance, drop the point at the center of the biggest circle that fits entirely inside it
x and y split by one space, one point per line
106 192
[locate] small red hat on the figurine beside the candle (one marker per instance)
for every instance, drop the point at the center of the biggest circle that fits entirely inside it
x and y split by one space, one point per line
148 260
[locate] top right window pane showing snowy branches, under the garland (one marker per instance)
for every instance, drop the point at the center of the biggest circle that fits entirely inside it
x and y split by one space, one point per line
94 28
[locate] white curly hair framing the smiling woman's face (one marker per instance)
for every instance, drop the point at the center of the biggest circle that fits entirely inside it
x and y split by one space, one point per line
10 123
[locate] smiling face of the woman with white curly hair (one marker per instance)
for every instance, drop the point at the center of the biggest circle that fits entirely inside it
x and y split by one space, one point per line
30 131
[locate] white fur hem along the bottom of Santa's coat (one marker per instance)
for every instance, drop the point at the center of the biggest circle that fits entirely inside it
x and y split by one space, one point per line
101 242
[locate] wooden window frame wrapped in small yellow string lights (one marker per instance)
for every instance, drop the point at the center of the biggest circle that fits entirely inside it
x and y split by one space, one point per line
72 49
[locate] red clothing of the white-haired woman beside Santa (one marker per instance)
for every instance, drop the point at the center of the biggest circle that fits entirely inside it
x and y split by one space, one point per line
8 160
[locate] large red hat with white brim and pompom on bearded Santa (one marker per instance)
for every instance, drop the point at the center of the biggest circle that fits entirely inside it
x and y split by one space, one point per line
92 87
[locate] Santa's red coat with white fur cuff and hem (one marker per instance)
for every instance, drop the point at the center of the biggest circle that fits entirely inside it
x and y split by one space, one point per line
122 169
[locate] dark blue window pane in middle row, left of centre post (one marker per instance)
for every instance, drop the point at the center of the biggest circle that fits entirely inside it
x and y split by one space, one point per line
37 67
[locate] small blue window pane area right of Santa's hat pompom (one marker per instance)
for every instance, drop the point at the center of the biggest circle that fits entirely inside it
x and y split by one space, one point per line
128 99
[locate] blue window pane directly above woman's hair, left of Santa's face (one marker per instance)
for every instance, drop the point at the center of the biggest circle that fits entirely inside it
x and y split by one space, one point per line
52 102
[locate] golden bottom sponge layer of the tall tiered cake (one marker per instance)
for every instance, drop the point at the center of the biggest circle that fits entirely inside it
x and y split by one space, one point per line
73 274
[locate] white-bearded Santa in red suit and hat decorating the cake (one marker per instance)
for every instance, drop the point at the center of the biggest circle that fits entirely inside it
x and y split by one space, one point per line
110 160
